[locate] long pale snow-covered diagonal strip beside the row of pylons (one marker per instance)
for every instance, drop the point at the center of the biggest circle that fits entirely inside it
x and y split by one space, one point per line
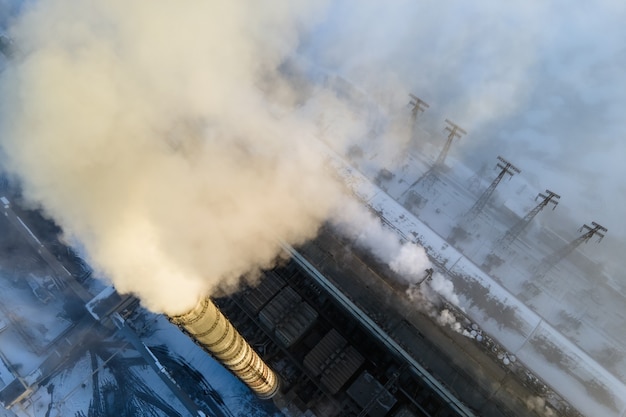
543 349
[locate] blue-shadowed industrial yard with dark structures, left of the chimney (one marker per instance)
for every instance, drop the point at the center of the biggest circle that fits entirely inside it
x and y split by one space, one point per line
59 360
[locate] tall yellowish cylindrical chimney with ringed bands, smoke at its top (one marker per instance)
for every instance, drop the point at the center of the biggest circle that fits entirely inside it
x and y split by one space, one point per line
206 324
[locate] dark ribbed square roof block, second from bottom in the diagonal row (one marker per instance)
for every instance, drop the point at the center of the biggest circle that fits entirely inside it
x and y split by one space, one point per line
333 360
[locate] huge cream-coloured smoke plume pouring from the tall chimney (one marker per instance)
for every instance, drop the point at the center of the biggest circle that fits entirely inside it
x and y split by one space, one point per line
160 135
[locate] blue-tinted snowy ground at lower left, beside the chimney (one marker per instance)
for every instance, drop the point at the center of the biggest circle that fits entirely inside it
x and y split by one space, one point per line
75 366
